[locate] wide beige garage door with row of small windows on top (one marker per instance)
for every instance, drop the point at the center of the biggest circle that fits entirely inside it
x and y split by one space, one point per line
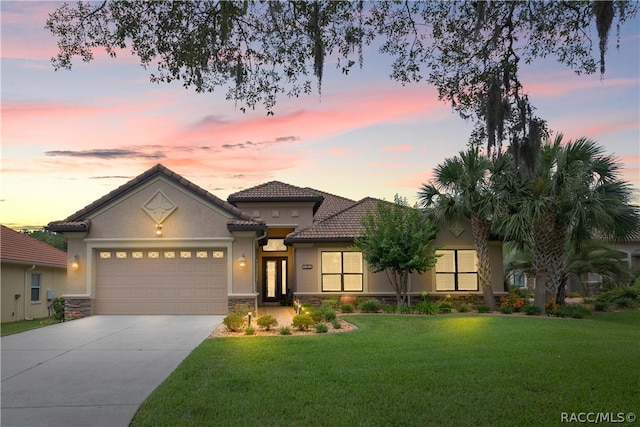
162 281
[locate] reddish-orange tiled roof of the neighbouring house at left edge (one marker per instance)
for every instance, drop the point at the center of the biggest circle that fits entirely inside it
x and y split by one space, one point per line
20 248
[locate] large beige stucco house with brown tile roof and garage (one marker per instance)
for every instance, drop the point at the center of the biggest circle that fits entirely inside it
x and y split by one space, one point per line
161 244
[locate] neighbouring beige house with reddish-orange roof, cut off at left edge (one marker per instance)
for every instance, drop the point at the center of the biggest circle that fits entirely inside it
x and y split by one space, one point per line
33 273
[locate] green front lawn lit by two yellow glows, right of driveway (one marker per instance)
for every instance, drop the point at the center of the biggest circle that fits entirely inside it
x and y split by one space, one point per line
475 370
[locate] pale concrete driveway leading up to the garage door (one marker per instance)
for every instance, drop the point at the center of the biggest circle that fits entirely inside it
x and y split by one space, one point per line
95 371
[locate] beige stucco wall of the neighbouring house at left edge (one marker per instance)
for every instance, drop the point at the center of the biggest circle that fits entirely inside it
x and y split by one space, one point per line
16 279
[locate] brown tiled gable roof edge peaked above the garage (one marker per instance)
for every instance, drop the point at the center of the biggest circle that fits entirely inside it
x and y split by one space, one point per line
79 221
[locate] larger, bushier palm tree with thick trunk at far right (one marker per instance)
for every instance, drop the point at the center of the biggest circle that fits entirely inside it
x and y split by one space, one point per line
574 196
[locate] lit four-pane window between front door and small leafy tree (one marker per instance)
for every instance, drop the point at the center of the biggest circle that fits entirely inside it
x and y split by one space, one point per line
342 271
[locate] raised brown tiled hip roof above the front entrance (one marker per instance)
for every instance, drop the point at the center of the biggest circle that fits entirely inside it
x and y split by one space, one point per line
276 191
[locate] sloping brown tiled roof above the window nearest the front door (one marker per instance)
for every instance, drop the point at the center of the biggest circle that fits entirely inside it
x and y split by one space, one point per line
343 226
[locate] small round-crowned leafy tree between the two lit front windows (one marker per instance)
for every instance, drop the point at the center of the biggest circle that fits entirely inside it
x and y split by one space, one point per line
397 240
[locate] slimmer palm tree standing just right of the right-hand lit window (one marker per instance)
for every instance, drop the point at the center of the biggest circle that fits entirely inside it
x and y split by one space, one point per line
461 188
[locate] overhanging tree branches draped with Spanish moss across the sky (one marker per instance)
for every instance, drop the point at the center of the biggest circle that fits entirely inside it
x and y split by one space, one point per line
257 51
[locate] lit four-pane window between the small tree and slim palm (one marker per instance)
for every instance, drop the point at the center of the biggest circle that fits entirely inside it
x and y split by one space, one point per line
457 270
